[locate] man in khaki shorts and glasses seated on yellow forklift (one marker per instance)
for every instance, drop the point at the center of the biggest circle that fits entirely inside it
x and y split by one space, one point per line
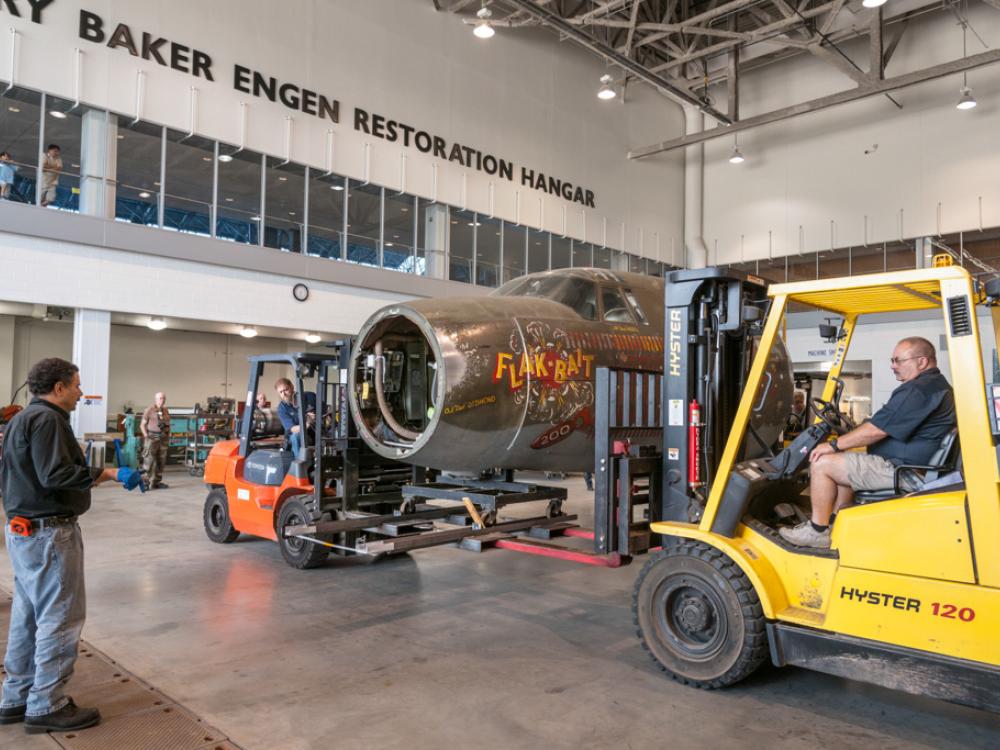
907 430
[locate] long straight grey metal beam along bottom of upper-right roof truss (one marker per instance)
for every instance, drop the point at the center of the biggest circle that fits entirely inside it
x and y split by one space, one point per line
861 92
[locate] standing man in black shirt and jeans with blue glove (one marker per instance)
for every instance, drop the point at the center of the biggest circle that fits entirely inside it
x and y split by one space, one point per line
46 486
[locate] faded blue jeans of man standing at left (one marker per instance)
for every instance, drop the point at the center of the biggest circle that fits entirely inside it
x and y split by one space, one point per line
45 619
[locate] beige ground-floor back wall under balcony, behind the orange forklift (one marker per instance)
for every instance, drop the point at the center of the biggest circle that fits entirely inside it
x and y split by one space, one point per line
188 366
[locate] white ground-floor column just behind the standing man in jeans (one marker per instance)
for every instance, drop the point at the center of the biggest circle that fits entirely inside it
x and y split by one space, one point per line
92 354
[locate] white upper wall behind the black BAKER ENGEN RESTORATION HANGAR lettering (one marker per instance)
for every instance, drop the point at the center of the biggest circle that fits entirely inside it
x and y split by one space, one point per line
522 96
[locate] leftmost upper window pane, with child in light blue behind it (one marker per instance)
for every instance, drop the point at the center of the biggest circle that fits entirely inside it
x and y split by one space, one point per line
19 114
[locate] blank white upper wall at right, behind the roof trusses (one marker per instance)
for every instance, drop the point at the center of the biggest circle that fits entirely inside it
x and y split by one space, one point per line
812 170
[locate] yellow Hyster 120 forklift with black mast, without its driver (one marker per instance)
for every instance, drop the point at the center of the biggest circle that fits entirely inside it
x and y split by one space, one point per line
908 595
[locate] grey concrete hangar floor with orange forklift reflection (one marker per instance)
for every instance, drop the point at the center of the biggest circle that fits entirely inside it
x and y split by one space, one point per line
441 647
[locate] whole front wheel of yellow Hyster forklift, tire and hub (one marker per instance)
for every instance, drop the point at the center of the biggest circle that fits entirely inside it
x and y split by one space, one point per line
699 616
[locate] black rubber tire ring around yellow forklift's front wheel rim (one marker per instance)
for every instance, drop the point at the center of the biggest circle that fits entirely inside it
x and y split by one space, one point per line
754 649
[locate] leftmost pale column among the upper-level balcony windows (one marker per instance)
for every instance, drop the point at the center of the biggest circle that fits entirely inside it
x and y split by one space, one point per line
98 163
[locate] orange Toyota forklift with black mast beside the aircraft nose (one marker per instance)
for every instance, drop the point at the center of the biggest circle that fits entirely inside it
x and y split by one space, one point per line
257 485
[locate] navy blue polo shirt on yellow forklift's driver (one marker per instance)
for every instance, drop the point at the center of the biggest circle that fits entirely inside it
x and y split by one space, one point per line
916 417
